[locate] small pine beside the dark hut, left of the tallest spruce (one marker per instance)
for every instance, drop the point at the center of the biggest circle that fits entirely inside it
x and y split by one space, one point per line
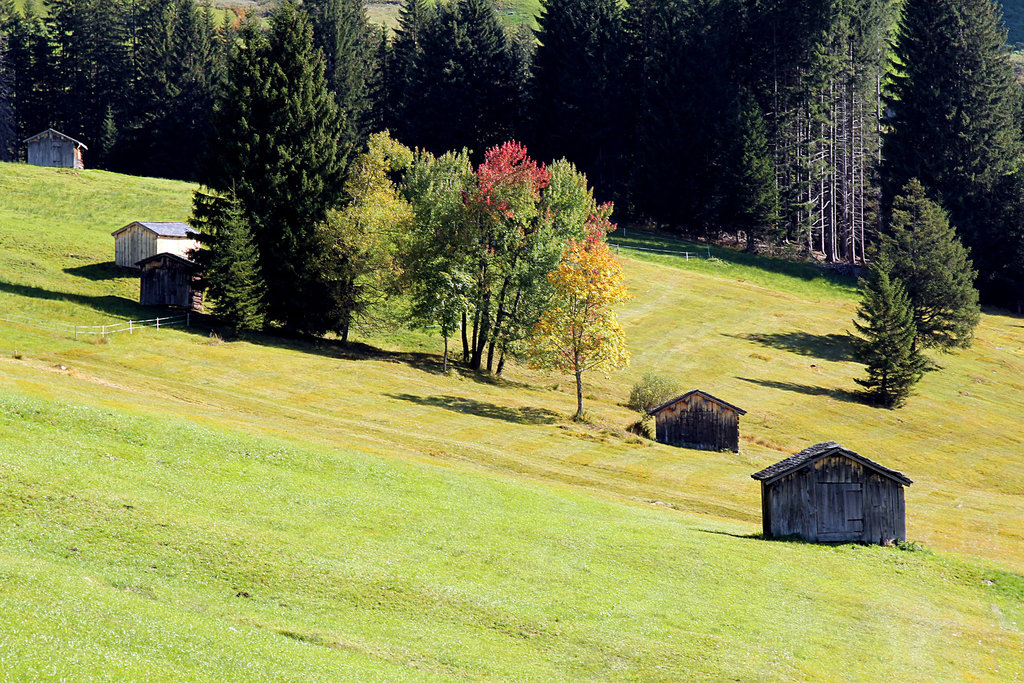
230 264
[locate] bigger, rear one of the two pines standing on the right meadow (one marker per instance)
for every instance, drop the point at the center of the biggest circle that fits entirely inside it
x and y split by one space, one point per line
926 254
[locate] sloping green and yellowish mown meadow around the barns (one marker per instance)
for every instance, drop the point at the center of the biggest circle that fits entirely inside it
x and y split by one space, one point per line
174 505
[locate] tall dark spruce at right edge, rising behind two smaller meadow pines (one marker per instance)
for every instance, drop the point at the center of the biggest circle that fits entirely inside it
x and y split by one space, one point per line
955 122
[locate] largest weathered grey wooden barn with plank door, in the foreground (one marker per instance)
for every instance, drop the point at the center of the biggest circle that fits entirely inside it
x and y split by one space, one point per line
828 494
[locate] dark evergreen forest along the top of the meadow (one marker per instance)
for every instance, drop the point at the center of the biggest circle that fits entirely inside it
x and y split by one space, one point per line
786 125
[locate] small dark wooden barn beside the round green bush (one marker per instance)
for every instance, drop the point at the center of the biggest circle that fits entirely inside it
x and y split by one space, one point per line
698 420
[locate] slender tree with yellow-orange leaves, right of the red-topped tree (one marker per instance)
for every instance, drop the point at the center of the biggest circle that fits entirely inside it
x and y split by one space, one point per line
579 331
